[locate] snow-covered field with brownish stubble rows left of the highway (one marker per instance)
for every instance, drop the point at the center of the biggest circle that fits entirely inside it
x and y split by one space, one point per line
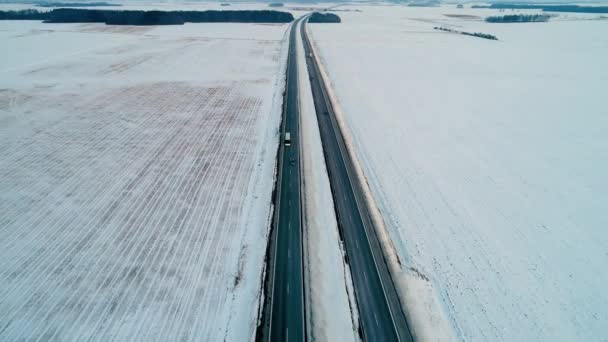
136 169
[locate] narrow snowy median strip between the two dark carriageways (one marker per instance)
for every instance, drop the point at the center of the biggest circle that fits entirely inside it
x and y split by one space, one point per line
329 286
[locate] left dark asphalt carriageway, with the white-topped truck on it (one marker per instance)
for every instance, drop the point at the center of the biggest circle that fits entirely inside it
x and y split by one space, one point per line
284 317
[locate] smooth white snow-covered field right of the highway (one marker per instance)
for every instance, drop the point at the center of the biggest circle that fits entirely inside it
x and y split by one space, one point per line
488 160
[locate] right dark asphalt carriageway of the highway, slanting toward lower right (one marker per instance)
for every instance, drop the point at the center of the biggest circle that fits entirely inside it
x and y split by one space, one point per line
380 313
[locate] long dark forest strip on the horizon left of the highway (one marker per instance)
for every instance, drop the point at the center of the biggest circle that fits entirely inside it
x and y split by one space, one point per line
118 17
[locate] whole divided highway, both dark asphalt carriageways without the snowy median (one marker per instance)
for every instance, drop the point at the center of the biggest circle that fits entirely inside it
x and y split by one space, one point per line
381 317
